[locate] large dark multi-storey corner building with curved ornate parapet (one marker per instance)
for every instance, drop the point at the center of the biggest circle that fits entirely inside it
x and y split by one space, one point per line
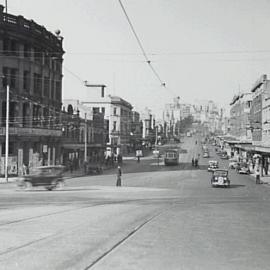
31 63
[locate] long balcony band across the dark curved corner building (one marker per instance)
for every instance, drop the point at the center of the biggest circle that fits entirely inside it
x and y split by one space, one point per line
20 131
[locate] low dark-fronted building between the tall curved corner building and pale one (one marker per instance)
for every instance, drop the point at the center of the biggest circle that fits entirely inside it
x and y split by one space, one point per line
82 128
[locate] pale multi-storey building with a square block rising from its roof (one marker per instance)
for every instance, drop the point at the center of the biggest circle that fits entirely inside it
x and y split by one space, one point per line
118 113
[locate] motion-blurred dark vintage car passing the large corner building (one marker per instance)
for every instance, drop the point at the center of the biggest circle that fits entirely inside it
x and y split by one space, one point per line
49 177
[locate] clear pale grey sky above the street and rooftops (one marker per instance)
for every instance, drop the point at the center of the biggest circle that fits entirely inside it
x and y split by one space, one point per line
201 49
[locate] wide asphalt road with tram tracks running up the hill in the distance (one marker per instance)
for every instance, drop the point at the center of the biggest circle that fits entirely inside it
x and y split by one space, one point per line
161 218
